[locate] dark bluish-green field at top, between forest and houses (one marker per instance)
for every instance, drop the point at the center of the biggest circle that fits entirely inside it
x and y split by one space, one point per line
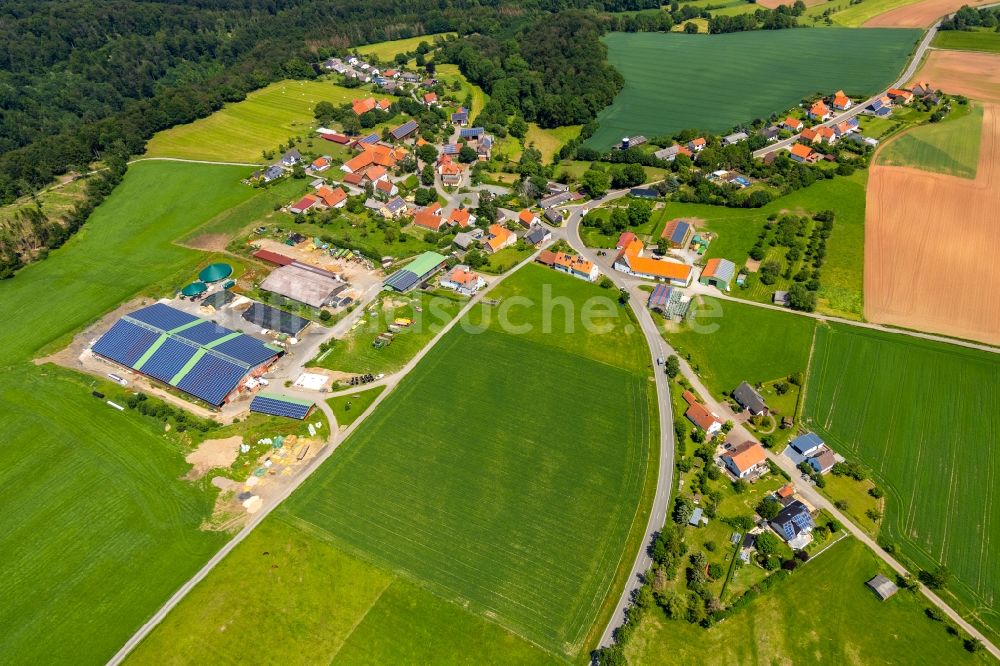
736 79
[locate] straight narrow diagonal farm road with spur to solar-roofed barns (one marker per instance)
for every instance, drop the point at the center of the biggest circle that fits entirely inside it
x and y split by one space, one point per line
333 442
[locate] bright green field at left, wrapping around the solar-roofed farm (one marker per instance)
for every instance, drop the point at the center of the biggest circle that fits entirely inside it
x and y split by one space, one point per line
99 527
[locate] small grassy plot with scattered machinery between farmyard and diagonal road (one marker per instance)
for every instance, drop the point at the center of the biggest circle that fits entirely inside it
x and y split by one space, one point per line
355 353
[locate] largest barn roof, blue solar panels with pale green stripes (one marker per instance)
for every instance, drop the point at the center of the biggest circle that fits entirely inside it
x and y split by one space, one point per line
202 359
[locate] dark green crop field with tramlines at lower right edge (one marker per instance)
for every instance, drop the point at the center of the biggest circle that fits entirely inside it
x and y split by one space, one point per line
921 416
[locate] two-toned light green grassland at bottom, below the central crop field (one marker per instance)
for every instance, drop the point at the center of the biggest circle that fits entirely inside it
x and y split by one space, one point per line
341 607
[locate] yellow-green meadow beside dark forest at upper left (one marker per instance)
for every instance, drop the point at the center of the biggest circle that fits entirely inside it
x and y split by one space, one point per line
240 132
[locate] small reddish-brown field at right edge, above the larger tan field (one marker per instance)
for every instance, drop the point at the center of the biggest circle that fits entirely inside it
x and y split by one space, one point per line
975 75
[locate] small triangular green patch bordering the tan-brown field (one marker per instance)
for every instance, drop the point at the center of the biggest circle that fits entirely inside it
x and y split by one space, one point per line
950 147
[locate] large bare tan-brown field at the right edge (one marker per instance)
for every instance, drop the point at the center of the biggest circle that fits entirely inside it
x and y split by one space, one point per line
930 246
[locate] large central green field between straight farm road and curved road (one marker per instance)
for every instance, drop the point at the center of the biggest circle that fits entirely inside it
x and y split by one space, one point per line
521 518
